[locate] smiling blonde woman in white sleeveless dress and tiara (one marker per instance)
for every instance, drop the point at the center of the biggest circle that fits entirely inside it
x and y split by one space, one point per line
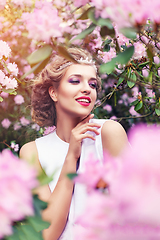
64 95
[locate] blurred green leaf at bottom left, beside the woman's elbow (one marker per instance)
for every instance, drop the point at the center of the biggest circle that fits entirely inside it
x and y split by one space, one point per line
37 223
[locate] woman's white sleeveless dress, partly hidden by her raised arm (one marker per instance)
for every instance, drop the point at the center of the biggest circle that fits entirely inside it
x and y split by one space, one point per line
52 152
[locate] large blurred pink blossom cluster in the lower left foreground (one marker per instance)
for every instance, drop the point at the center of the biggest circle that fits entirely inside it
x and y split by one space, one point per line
17 179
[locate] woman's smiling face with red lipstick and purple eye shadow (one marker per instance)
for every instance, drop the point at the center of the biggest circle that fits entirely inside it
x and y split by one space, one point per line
76 94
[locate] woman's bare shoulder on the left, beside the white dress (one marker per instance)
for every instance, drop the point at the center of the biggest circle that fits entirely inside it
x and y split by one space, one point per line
29 153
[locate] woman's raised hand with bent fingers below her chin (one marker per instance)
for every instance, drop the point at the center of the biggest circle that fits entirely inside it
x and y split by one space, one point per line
79 133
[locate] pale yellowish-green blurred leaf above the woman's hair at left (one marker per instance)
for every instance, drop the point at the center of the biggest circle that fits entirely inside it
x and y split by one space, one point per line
40 54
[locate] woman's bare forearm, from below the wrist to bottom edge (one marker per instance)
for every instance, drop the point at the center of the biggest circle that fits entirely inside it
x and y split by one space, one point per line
59 202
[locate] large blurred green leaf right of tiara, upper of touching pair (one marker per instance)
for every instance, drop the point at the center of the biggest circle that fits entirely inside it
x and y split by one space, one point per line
124 57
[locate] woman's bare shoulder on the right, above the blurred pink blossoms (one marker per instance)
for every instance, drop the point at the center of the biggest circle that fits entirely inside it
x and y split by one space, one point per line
114 137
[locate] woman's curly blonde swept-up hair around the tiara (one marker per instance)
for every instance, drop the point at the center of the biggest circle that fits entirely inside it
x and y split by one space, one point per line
43 107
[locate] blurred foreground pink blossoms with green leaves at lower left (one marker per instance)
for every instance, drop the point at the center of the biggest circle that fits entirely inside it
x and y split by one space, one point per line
19 217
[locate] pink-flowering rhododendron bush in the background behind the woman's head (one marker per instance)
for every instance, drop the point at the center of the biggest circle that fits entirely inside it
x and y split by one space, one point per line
122 36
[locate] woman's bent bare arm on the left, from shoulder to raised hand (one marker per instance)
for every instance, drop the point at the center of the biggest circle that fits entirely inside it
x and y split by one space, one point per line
59 200
